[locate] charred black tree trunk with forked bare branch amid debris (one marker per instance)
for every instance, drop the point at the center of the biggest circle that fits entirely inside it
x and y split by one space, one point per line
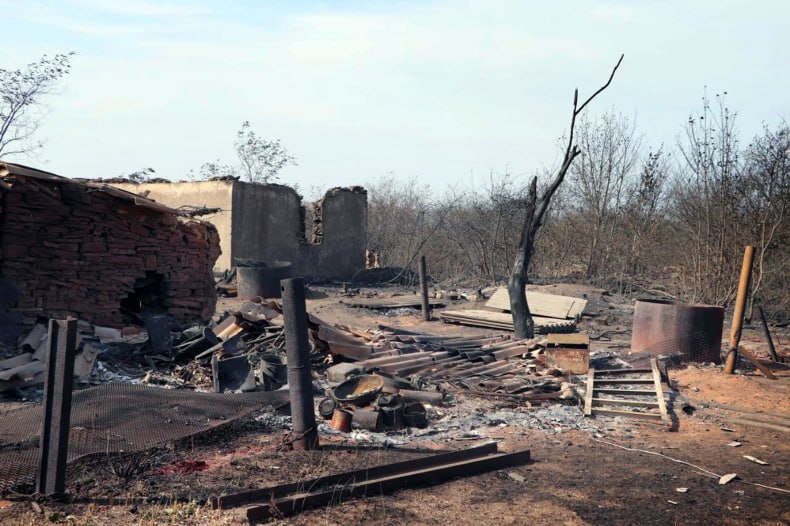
523 324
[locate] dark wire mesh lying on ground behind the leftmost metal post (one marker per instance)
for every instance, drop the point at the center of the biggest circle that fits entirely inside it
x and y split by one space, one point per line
115 417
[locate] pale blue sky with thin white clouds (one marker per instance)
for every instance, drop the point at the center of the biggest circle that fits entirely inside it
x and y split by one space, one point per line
442 92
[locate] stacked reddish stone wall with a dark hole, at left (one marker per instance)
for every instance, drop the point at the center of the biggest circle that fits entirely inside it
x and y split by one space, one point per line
75 250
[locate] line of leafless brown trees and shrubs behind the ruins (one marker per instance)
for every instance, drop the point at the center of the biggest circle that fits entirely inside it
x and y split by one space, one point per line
667 221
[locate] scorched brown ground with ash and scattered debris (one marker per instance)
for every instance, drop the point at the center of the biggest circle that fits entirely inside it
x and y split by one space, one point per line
579 473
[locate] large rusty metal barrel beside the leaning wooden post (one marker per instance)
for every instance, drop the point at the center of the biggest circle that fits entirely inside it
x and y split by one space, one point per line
667 327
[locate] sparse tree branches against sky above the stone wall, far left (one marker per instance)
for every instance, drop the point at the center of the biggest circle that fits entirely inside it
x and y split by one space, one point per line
21 91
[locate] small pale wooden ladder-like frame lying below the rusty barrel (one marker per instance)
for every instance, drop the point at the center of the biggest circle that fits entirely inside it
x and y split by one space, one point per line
625 384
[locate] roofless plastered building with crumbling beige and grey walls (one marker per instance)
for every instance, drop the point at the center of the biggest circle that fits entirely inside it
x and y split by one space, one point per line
322 240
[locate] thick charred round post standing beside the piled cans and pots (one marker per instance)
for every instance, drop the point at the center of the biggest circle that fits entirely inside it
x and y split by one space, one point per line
297 348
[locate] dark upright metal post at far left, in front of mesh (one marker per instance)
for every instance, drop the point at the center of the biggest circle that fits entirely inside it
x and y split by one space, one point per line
54 444
